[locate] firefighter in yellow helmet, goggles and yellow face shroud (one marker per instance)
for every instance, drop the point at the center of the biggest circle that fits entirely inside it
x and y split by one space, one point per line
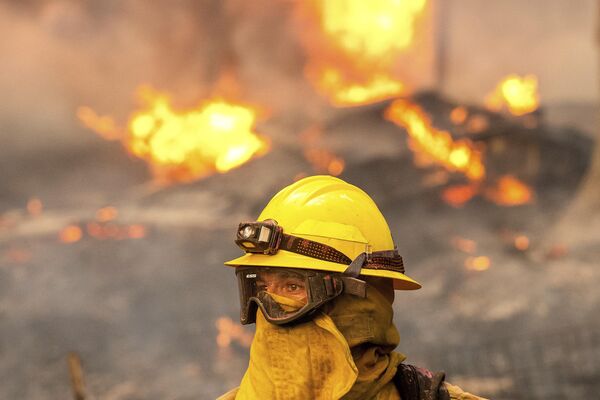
318 279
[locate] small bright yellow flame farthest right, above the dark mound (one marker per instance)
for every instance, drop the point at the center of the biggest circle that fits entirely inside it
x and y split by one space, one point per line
518 94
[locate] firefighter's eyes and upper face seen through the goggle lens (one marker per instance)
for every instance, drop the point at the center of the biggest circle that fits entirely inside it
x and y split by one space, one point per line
283 283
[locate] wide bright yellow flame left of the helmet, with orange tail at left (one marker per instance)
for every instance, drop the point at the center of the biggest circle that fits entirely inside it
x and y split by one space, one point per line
182 146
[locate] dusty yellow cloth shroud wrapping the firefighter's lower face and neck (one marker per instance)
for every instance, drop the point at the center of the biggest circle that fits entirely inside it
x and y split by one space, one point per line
344 353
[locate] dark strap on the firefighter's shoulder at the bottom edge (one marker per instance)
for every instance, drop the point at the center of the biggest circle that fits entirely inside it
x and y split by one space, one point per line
414 383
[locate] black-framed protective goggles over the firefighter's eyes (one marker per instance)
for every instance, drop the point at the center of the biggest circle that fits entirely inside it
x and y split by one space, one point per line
287 295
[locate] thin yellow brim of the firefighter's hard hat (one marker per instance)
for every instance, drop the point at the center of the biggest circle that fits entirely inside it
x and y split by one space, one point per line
288 259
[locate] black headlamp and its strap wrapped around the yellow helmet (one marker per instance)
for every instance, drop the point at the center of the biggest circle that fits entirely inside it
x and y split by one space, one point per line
267 237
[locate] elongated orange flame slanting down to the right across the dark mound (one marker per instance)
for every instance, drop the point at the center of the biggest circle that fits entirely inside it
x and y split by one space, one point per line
438 146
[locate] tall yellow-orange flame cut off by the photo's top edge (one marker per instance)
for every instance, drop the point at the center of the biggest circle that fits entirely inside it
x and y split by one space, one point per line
351 58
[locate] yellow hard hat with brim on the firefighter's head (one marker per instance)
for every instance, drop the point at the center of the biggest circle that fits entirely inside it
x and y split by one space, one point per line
334 213
